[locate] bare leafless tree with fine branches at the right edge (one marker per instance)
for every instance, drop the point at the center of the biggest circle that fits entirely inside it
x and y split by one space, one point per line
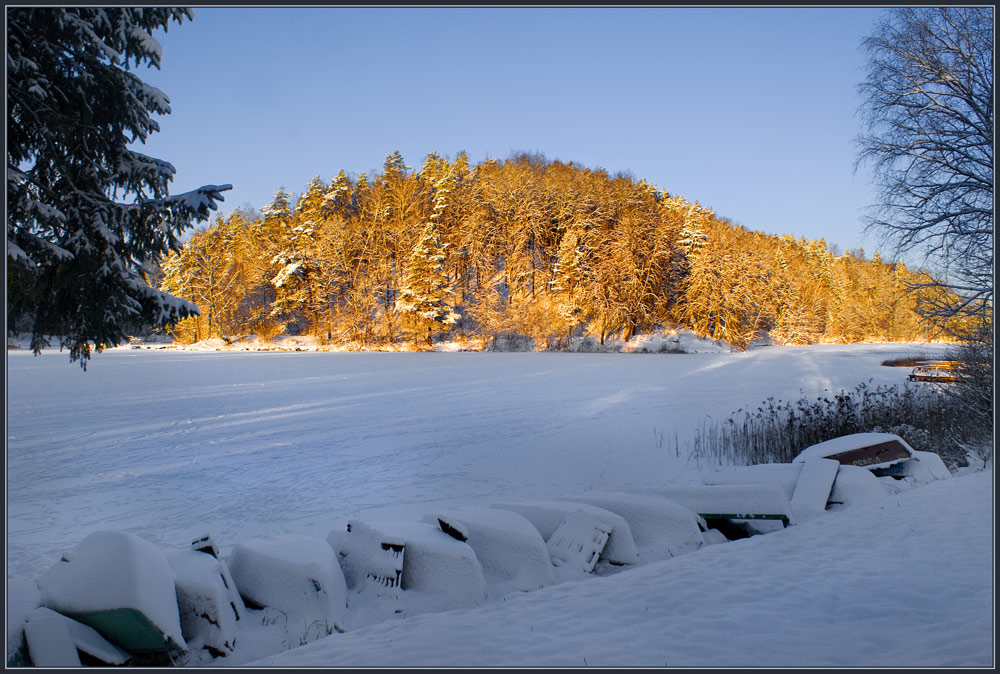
927 104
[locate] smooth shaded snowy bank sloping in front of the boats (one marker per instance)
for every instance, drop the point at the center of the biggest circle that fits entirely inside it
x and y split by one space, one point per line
866 588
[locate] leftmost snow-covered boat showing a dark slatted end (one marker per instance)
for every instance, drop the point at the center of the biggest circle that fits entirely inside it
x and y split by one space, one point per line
429 561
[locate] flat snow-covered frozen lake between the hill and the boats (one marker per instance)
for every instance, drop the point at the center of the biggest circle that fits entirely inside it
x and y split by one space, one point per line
172 445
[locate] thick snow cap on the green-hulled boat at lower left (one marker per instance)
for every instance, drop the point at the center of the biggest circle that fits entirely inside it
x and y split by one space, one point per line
111 570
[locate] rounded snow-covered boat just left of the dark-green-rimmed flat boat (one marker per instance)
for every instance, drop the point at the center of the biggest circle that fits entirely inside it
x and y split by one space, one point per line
661 528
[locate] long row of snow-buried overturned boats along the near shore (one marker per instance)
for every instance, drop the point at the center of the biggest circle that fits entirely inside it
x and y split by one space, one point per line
115 597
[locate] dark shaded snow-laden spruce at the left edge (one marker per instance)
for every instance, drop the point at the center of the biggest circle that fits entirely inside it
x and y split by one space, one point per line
84 211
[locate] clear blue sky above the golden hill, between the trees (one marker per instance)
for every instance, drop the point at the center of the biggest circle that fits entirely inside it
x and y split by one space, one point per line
750 111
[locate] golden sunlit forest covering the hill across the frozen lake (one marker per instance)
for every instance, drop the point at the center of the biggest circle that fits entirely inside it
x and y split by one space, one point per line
527 246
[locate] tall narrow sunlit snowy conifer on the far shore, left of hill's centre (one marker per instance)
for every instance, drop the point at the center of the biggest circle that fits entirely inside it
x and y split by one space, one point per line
422 302
